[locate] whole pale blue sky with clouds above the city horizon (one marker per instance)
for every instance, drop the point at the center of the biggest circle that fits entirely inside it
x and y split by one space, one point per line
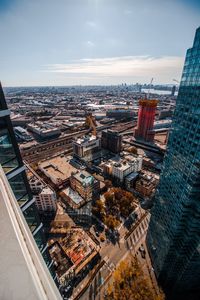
89 42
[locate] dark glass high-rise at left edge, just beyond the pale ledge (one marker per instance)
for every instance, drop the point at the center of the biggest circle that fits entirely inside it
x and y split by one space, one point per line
14 169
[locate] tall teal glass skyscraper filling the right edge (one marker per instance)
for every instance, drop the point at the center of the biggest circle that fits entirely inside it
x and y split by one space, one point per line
174 233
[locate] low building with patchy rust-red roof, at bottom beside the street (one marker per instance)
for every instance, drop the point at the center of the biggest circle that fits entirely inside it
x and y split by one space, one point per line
72 251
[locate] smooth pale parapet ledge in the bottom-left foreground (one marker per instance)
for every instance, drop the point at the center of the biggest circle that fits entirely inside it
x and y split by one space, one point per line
24 274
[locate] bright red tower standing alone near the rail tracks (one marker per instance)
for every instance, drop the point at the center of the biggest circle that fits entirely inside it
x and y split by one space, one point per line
146 117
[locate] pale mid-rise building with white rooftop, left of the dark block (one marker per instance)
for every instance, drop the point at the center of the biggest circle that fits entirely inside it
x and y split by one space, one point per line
87 148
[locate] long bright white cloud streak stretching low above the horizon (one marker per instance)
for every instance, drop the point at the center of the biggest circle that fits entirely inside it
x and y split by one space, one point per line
140 68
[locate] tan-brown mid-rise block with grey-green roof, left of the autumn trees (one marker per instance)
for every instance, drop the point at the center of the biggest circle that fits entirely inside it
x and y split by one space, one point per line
85 184
